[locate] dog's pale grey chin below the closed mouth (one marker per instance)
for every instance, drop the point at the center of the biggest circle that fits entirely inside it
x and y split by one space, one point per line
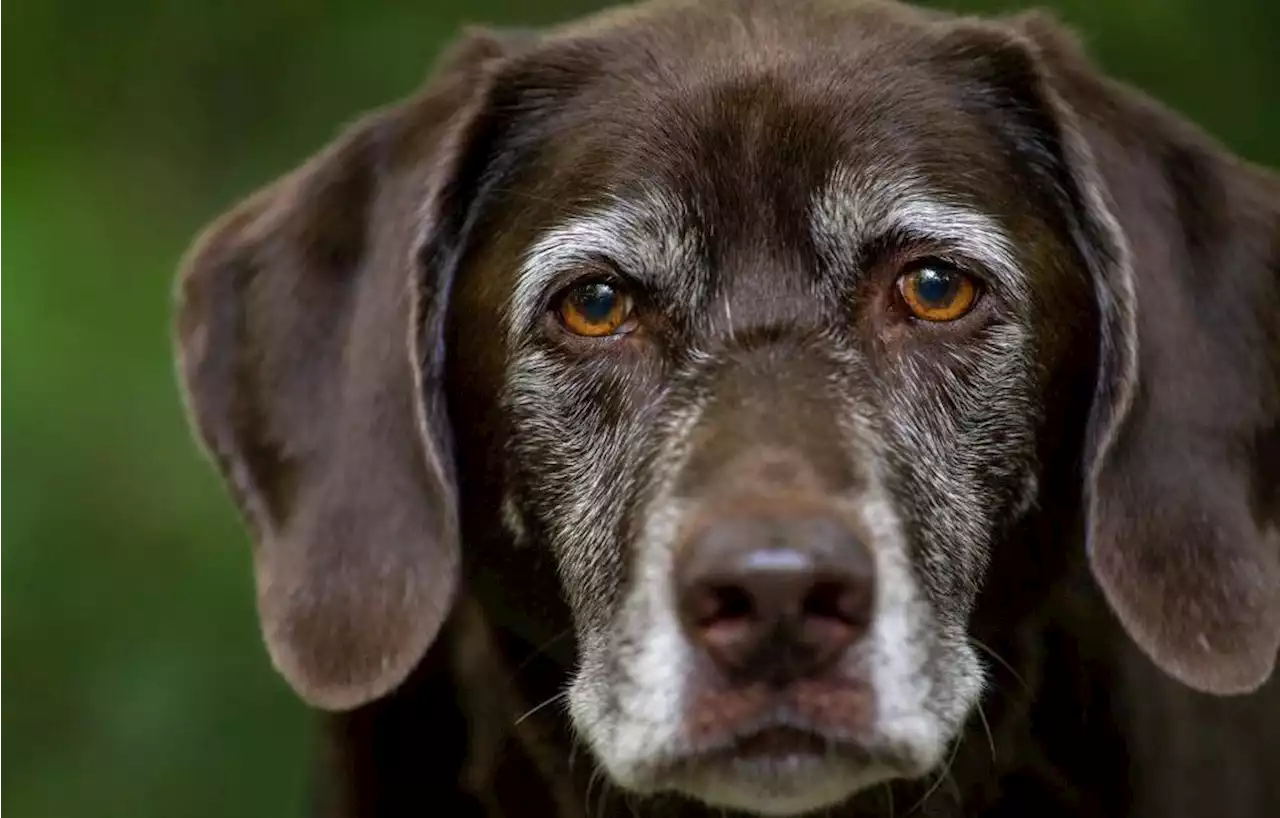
776 773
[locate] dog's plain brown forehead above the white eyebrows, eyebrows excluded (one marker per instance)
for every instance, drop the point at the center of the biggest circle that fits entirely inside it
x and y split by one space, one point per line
747 125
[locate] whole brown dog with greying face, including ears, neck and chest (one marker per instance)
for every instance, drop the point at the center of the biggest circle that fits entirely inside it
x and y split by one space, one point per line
762 408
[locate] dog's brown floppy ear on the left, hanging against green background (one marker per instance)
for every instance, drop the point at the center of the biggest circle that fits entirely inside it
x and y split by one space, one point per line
307 322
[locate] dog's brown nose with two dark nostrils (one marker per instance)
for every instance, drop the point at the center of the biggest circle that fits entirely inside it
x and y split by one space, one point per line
775 600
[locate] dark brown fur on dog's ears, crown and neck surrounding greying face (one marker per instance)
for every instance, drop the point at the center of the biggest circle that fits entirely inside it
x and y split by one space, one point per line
342 359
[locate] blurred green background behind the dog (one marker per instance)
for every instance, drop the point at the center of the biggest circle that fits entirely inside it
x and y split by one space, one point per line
132 679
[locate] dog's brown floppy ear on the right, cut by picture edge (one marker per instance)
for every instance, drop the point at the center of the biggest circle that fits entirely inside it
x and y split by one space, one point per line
1183 450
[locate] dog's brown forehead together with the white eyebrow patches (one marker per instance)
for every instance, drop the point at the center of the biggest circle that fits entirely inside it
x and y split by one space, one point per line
738 154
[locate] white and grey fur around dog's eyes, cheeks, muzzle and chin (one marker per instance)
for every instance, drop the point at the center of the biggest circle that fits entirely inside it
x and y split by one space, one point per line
935 428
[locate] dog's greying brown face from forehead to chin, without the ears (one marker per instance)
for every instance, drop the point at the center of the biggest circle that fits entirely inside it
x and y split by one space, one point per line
774 374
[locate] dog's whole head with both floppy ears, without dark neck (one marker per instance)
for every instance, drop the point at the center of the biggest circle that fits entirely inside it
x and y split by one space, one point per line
770 327
